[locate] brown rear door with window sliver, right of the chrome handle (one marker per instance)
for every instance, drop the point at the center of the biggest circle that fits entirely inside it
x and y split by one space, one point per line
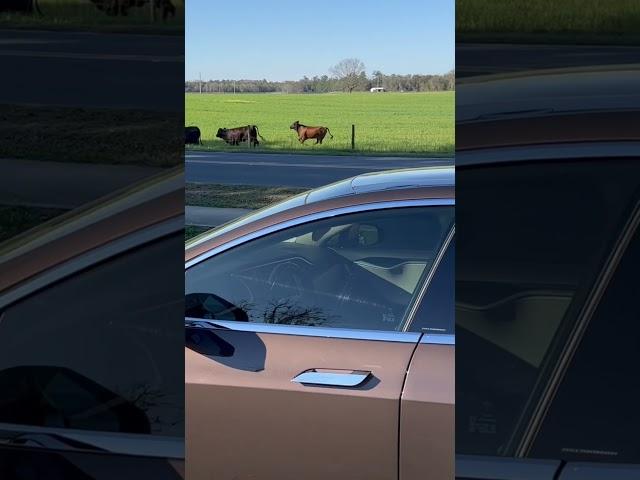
428 397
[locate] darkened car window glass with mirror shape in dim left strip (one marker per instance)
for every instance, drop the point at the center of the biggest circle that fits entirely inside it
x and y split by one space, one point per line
58 364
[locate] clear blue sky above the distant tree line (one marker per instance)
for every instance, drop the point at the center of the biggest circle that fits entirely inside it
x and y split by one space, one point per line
287 39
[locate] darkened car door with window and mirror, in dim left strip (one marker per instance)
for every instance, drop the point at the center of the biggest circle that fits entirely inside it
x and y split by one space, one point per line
72 406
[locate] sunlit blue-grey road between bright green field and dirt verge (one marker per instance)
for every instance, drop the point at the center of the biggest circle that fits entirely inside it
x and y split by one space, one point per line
290 170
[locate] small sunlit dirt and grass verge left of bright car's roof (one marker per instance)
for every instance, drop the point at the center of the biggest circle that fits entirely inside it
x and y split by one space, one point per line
236 196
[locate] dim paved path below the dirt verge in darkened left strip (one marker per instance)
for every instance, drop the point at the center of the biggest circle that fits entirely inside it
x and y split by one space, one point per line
63 185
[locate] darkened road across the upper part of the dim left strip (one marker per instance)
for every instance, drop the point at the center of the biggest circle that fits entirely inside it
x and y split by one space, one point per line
92 70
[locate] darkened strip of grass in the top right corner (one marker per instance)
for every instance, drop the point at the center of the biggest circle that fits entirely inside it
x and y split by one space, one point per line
548 17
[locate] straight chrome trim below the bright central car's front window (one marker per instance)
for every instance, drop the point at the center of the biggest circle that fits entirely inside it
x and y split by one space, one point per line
306 331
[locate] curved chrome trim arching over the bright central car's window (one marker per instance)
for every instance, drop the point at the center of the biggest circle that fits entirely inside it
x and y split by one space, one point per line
427 202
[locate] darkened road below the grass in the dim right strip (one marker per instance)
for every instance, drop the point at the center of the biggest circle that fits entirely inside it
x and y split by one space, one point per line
481 59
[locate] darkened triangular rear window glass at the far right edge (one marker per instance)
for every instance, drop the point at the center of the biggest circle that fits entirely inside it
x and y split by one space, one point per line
601 386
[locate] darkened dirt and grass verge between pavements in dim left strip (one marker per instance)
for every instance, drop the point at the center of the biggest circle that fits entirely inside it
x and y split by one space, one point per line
64 134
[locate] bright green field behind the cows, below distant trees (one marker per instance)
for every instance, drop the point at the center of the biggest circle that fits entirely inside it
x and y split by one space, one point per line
407 123
